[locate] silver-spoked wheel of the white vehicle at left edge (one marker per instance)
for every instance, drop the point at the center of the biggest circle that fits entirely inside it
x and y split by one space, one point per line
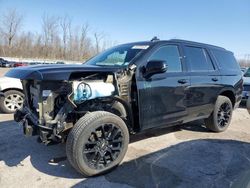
12 101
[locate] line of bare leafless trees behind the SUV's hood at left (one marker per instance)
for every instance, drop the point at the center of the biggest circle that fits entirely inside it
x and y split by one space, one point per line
58 39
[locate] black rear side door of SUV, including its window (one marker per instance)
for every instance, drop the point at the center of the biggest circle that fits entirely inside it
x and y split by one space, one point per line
205 82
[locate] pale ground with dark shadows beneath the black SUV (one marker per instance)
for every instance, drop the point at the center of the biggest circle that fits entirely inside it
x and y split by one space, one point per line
183 156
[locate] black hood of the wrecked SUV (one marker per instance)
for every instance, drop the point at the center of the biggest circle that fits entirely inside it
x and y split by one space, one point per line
54 72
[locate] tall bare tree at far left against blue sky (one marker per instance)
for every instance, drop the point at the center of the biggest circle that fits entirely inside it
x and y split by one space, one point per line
10 25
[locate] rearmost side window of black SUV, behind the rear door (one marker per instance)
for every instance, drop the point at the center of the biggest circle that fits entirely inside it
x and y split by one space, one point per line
226 60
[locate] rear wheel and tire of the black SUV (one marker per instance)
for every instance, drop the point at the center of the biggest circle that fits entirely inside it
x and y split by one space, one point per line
221 117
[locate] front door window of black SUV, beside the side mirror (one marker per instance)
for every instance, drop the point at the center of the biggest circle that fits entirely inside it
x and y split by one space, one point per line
170 54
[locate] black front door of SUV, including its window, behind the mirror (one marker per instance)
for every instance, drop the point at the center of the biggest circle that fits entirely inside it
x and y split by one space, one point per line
162 97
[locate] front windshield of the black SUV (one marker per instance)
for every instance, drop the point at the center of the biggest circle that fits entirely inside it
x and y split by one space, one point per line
118 56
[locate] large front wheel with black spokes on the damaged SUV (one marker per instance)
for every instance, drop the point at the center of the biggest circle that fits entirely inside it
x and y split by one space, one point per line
90 151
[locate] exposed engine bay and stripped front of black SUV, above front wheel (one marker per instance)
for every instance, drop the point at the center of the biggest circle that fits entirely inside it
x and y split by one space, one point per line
51 108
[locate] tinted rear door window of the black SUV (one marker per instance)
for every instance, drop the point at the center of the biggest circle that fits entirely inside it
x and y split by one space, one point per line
198 59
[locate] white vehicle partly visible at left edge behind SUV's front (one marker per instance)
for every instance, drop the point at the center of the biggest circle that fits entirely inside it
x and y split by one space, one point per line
11 96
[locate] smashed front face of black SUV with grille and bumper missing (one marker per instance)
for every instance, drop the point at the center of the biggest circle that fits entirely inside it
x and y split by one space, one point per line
45 110
